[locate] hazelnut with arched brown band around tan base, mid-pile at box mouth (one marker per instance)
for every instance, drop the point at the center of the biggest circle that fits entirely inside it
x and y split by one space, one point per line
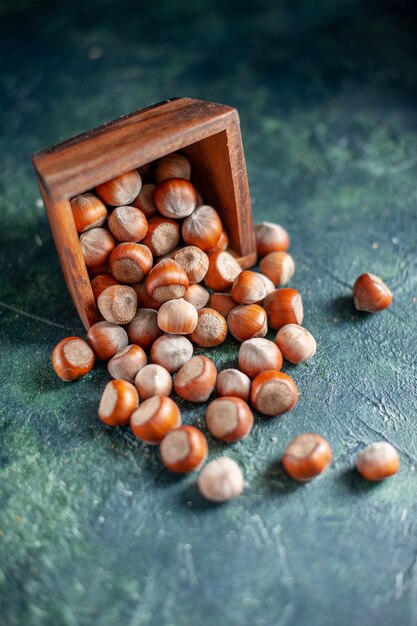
166 281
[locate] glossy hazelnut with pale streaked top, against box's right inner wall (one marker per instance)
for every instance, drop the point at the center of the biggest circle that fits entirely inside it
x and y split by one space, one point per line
202 228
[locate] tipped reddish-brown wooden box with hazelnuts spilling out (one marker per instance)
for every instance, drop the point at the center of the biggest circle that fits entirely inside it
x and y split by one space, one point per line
207 133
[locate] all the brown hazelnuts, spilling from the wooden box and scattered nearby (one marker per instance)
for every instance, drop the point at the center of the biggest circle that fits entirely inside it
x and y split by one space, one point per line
164 279
